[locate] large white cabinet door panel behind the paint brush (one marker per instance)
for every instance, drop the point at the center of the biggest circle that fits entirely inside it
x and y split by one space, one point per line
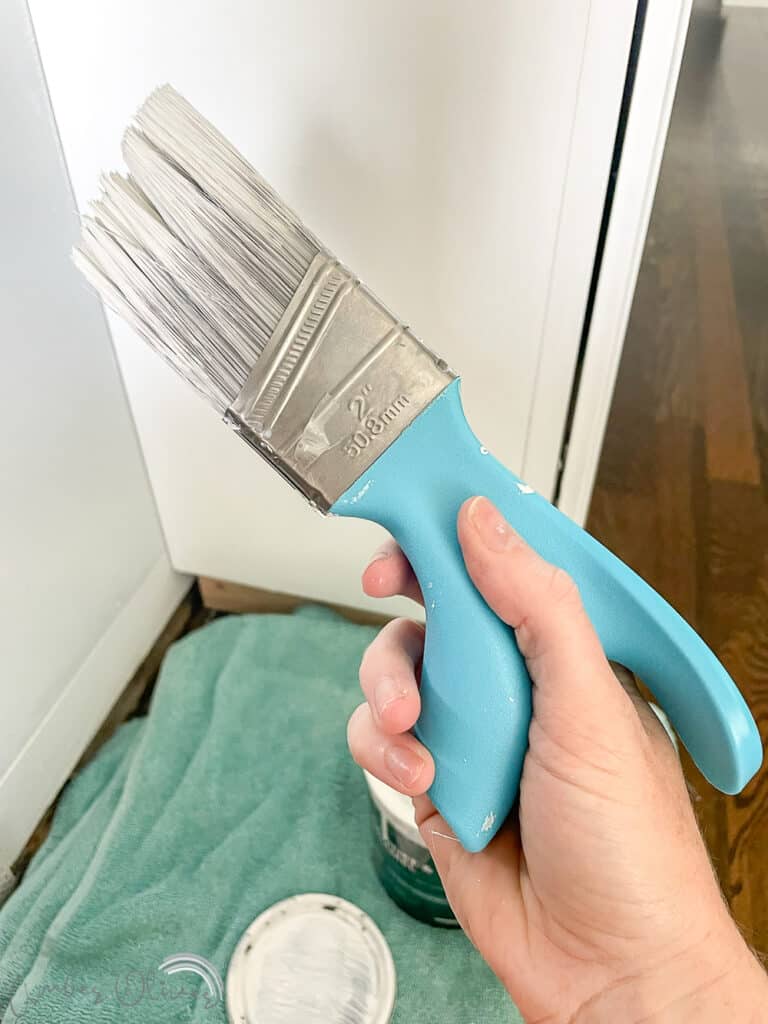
454 155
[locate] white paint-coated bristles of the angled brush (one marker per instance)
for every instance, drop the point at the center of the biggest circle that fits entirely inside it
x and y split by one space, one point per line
194 249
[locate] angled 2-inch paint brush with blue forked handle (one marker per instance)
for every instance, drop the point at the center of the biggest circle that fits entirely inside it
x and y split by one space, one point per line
204 260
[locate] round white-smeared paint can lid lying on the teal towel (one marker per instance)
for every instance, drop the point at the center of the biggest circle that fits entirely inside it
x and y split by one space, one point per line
312 958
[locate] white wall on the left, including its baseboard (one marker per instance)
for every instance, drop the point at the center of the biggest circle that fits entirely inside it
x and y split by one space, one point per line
86 583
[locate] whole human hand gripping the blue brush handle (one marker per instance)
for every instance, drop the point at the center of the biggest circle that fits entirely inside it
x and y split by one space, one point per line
598 903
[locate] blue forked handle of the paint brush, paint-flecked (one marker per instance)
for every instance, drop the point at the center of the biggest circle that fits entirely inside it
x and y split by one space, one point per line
476 689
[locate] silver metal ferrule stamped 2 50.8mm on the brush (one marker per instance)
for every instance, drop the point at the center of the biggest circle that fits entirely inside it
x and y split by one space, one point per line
338 382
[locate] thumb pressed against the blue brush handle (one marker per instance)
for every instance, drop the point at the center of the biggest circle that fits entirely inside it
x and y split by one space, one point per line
575 687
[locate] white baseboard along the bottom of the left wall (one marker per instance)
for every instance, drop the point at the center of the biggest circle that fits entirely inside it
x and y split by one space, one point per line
46 762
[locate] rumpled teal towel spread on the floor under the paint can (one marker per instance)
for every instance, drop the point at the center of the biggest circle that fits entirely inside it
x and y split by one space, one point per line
236 791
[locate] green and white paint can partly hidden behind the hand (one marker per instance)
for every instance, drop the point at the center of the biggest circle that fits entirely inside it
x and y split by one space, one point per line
402 860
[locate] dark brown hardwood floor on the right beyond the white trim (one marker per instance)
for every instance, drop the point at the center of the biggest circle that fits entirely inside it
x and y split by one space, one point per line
682 490
